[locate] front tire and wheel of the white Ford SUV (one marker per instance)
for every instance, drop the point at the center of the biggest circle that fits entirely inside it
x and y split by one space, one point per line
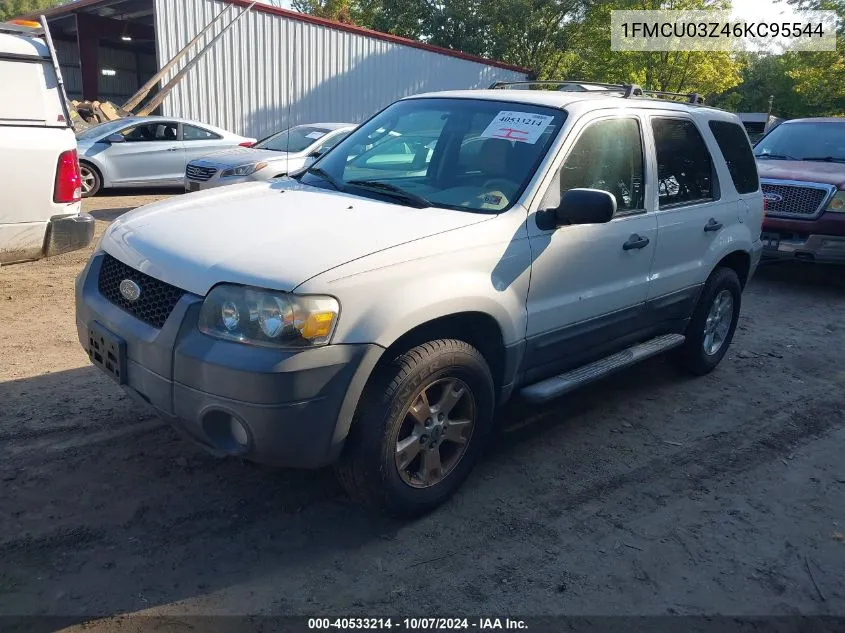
392 410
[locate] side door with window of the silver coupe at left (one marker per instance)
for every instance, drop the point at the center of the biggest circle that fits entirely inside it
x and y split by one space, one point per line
152 154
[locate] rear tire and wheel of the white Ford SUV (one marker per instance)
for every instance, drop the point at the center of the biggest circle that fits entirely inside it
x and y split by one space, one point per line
700 354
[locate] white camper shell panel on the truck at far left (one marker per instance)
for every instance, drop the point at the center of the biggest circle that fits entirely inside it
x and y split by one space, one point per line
37 98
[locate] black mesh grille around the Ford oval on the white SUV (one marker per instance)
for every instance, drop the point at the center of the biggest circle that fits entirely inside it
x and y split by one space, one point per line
154 304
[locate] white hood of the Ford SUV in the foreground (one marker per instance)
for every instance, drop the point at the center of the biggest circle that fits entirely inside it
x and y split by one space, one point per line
271 235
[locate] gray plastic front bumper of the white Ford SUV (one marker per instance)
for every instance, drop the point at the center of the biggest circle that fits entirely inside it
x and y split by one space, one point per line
294 408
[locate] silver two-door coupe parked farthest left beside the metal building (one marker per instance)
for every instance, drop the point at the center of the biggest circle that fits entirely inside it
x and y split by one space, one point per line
146 151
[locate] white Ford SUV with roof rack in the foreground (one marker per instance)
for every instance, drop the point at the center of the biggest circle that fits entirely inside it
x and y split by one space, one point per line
375 312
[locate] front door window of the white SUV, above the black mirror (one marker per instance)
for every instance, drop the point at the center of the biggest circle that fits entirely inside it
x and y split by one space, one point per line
608 156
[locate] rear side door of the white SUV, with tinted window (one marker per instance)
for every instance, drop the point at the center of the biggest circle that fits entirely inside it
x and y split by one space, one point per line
693 211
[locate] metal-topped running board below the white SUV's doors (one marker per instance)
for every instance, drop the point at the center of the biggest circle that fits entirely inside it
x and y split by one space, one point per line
580 376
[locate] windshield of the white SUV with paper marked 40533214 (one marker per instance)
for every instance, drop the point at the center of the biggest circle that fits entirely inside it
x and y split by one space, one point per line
469 154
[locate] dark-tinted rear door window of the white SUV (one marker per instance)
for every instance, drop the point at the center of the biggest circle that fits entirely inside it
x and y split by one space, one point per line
684 167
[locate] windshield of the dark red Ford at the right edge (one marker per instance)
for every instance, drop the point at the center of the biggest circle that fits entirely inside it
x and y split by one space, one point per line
810 140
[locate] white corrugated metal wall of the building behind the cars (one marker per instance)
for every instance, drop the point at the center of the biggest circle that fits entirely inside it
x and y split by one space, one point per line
270 71
